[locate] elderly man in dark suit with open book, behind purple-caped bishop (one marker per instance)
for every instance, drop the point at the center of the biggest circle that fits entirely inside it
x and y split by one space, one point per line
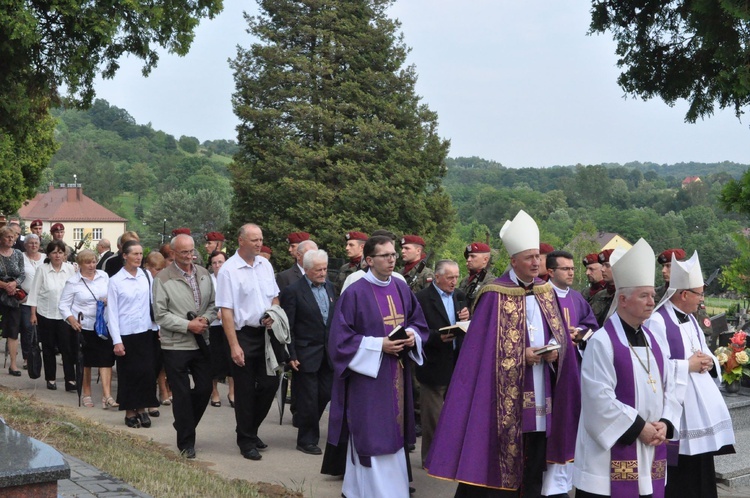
443 305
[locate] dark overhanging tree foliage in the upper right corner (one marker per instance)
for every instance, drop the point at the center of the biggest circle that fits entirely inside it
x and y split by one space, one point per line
693 50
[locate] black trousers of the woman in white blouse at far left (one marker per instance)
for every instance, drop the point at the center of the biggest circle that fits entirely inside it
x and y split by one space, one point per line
57 334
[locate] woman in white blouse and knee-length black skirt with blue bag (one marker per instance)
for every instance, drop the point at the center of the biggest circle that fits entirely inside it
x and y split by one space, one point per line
78 299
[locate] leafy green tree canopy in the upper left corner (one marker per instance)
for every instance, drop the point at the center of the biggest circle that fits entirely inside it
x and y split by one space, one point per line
54 44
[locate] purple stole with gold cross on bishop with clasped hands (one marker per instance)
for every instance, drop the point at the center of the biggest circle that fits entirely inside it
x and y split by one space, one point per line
624 465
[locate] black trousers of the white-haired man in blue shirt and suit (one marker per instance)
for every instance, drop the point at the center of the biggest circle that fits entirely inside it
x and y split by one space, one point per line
313 392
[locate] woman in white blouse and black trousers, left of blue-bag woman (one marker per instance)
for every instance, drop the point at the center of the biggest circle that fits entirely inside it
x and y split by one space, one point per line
54 333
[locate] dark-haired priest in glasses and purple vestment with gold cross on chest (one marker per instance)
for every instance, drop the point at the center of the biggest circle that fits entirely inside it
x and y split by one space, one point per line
371 405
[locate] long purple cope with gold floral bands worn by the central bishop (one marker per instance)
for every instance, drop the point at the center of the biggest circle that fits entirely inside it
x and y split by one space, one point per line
478 439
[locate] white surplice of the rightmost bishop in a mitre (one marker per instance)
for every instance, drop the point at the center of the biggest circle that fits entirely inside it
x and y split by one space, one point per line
705 425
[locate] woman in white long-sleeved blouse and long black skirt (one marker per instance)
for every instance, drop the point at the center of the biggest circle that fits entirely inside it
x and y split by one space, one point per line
133 335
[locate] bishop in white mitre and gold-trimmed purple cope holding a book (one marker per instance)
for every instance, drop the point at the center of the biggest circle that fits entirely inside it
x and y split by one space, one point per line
509 410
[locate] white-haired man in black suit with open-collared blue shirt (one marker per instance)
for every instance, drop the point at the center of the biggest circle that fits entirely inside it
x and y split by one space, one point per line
308 304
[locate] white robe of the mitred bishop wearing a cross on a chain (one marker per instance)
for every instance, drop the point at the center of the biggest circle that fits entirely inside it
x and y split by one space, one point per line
604 419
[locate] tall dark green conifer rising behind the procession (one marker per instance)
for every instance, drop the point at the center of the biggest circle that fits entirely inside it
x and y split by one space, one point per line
333 136
